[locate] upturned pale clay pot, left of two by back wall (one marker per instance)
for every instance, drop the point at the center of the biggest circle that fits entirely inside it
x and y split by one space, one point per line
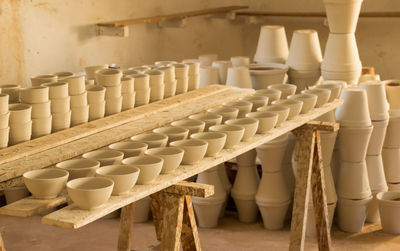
272 45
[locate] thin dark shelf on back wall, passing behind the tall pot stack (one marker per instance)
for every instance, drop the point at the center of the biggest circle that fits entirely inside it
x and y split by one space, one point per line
314 14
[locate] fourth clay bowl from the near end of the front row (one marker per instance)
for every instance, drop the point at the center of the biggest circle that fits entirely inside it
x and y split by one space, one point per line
172 157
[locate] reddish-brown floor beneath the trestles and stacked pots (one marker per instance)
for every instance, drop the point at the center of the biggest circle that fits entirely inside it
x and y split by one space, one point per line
29 234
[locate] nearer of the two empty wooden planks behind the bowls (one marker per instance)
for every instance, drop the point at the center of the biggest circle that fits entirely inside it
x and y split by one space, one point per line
181 108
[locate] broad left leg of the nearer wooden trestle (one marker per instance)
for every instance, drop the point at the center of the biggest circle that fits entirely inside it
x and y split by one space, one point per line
172 214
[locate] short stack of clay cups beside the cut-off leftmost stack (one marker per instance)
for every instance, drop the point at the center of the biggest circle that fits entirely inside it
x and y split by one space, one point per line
20 123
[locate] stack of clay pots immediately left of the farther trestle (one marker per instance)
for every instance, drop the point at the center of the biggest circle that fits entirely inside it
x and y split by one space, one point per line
273 197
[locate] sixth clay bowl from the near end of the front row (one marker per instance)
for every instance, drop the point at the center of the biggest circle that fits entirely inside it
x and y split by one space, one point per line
216 141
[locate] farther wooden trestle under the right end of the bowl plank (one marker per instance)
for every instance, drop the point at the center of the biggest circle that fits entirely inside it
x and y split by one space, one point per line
309 170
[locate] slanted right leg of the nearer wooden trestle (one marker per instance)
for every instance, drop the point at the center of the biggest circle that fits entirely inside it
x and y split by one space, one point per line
190 235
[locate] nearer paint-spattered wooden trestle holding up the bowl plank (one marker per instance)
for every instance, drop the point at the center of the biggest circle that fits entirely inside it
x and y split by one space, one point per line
174 216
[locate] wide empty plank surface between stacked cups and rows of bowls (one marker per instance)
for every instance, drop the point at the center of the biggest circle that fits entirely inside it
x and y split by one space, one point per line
137 120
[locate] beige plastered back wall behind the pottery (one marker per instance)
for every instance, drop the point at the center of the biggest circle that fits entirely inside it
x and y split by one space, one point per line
38 37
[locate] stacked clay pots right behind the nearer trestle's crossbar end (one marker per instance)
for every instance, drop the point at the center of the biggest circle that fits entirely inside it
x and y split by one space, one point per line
208 209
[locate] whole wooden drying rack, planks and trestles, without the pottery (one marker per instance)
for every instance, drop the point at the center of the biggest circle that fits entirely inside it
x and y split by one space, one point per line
172 208
